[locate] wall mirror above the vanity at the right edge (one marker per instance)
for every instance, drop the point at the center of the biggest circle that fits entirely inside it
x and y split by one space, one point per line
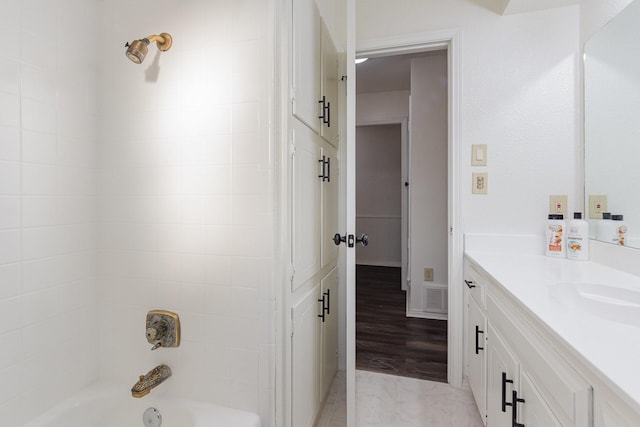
612 119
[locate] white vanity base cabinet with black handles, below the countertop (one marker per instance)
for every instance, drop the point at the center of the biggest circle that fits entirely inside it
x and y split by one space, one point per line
525 382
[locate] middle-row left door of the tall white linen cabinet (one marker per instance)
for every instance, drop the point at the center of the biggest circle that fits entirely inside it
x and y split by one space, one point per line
306 205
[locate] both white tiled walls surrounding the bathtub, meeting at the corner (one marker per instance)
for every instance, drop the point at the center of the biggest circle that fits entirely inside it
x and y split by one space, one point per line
163 172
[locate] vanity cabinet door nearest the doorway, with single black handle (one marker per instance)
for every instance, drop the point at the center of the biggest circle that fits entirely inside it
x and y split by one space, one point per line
476 344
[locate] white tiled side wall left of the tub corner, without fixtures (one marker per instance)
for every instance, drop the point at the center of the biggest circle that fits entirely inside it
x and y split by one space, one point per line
48 136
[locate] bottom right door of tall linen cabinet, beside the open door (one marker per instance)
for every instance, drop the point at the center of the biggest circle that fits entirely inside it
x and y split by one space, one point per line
329 331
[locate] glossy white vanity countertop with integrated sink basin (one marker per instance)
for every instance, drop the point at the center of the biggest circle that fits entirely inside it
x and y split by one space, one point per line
605 333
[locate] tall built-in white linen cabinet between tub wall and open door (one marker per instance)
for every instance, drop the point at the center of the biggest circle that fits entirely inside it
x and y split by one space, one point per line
313 125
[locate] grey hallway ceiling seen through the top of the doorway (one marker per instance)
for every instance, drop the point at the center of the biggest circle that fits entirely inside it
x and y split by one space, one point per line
388 73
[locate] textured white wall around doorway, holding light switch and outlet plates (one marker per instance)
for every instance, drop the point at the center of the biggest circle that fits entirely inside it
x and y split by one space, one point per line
519 95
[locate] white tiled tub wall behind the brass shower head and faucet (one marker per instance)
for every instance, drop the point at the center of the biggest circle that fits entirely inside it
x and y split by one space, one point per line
187 207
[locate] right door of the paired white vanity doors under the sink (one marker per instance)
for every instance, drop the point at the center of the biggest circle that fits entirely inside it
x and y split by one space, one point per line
533 411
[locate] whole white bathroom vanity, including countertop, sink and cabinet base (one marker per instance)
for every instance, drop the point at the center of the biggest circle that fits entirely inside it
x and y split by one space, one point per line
550 342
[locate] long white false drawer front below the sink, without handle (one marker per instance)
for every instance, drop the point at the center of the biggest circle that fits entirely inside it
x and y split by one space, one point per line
564 390
